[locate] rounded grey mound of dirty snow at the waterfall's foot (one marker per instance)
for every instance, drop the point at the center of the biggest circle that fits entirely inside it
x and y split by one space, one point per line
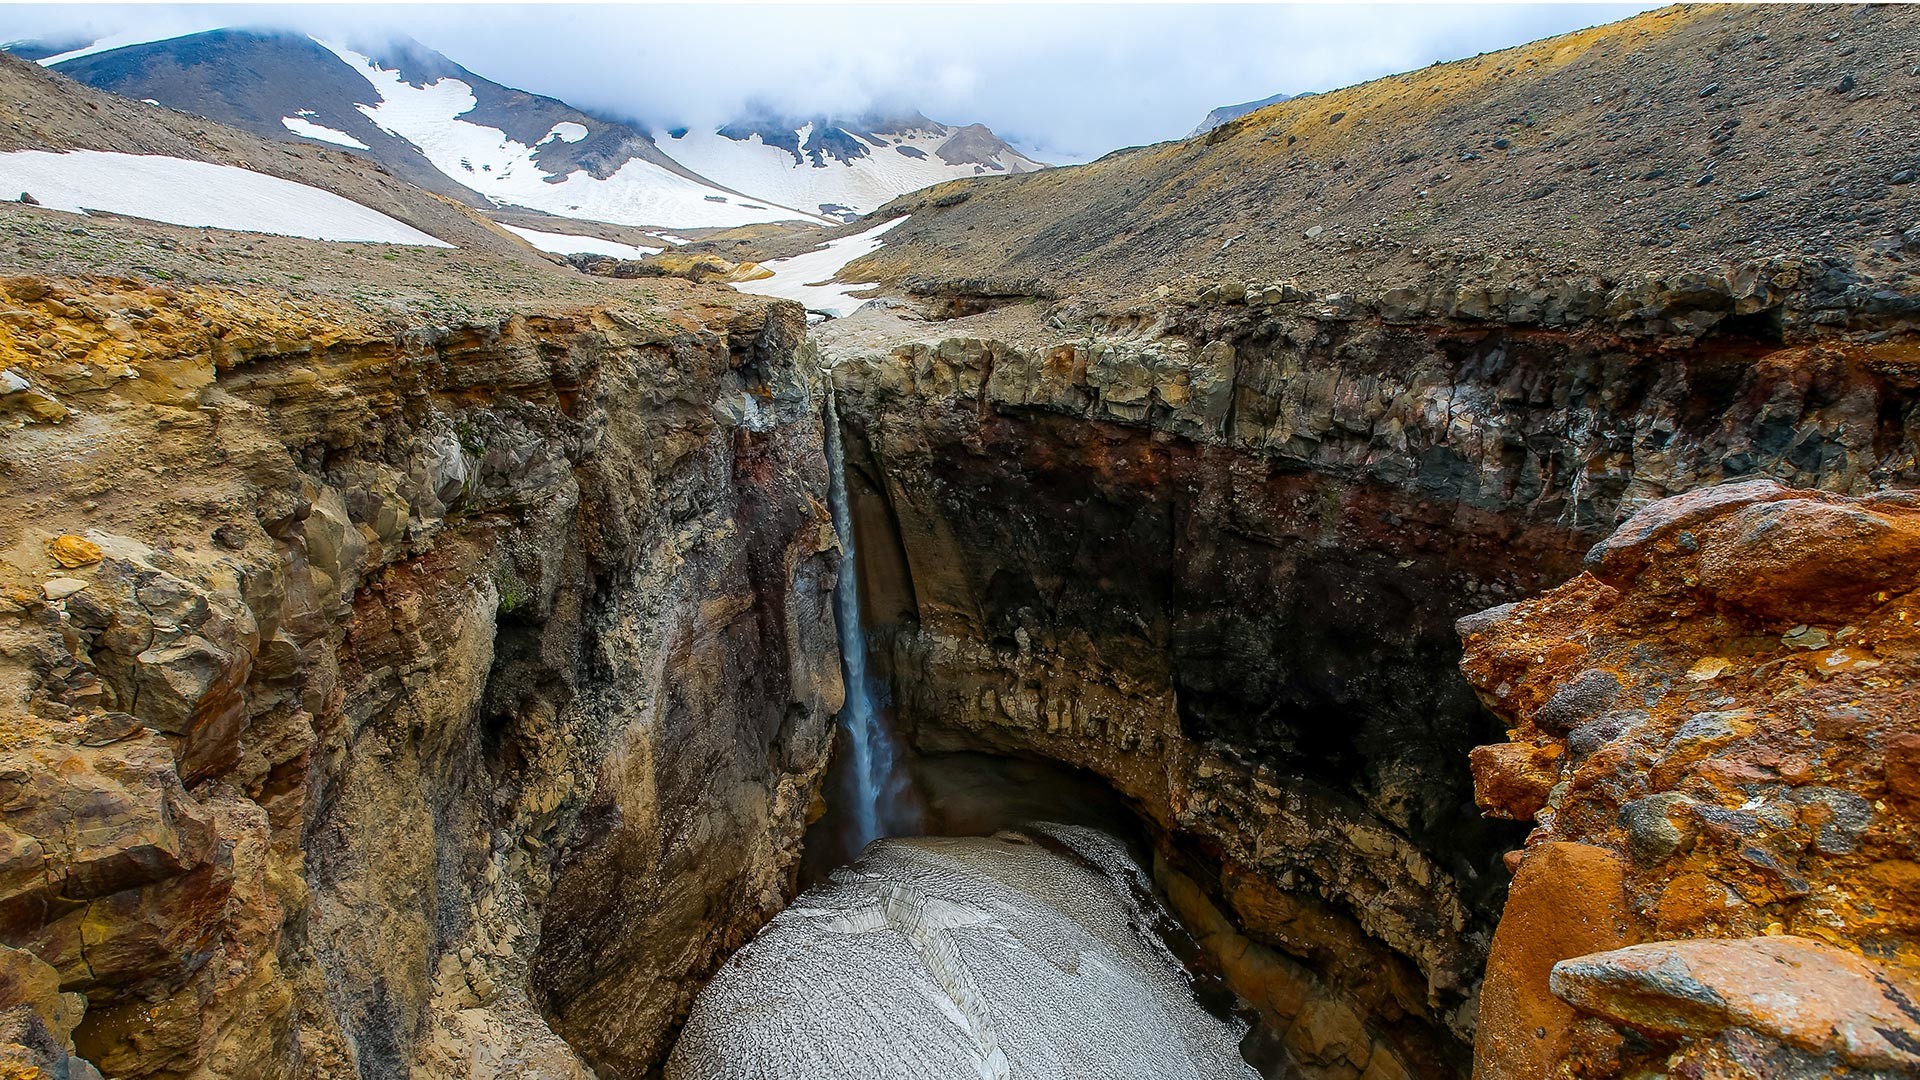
1022 954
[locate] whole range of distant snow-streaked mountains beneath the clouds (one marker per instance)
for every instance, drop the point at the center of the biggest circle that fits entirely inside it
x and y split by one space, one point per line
468 137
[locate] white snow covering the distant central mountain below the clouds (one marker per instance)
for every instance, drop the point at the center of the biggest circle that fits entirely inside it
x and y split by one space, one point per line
907 162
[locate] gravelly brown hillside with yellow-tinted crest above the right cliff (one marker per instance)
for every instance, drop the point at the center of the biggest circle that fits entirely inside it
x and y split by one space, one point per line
1675 139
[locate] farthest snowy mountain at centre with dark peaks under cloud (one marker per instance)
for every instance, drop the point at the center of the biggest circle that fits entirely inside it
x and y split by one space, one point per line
844 168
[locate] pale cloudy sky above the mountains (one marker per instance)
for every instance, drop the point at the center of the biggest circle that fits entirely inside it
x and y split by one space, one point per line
1065 82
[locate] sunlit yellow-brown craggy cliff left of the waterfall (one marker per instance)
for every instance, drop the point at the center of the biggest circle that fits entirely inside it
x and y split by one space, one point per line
379 691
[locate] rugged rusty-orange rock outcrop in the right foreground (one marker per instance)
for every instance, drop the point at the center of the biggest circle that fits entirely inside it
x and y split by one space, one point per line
1719 879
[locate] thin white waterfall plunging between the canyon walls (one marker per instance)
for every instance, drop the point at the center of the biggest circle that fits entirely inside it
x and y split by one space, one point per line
876 787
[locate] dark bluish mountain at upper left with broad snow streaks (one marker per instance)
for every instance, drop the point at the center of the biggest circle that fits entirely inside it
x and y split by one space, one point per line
425 118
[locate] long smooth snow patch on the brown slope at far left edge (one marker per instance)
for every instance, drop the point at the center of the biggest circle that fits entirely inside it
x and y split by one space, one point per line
197 193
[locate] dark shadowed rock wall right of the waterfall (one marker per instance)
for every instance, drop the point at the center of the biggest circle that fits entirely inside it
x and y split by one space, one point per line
1214 551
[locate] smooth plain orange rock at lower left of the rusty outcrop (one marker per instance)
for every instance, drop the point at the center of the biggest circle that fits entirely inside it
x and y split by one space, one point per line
1568 900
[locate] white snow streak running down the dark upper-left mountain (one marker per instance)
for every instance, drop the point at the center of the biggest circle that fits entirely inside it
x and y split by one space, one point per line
504 170
